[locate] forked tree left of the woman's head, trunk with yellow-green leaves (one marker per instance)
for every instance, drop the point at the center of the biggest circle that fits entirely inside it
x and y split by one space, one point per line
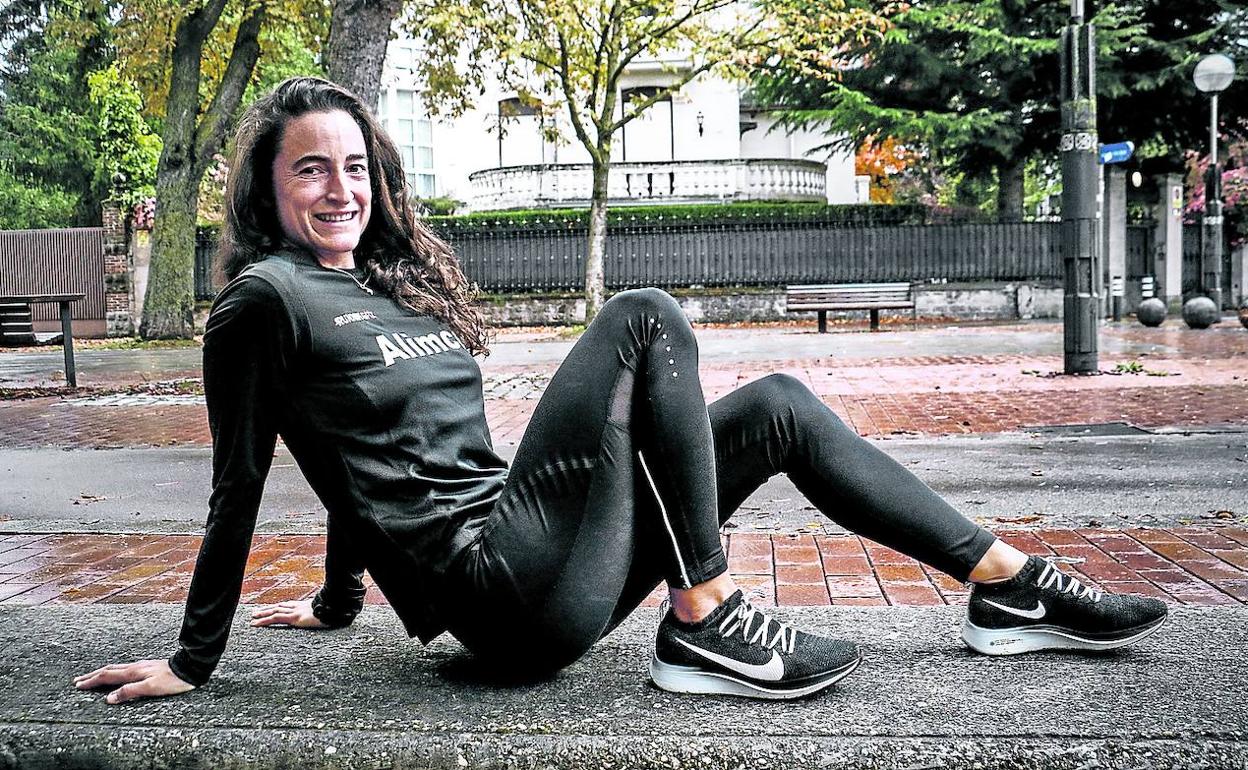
195 64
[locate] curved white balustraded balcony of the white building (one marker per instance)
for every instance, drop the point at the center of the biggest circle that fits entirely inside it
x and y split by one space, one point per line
713 182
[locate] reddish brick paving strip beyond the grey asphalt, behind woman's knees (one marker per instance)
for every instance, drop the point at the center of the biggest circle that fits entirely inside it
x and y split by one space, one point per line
878 397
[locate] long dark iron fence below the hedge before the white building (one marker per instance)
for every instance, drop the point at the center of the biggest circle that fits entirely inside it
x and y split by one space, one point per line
769 254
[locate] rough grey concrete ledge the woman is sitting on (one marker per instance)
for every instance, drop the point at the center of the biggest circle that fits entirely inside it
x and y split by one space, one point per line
368 697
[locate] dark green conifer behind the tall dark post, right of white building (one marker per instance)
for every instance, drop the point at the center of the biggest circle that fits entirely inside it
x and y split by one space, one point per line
974 82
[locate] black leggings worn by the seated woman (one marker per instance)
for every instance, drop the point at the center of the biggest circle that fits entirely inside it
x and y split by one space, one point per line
625 477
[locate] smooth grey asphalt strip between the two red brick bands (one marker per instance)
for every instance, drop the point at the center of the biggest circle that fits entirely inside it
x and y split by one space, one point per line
1016 480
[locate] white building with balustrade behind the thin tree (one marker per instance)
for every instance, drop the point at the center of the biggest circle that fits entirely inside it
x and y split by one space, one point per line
702 145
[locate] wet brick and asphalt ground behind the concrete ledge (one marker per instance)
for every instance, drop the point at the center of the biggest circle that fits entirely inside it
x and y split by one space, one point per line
1158 444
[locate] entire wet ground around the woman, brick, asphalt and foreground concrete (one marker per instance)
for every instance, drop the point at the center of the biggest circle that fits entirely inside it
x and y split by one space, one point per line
1136 476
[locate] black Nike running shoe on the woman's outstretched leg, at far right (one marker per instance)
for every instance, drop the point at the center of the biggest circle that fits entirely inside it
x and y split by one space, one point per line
1043 608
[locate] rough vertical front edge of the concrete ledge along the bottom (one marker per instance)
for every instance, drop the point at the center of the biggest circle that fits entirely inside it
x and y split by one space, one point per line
79 748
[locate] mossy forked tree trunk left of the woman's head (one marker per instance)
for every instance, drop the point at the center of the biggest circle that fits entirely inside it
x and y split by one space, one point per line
189 145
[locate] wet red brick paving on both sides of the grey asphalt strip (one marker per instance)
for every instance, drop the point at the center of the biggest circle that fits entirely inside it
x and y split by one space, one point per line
1205 383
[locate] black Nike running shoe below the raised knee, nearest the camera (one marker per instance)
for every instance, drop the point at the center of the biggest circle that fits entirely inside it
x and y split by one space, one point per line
739 651
